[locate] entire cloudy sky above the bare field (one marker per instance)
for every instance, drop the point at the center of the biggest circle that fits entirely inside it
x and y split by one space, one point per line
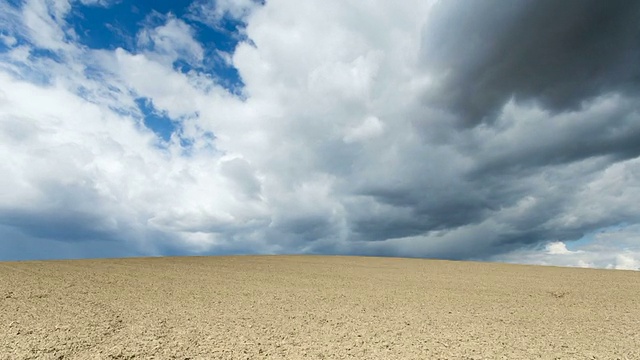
484 130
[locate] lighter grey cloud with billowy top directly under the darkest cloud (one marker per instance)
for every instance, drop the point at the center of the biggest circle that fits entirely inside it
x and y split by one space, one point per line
531 136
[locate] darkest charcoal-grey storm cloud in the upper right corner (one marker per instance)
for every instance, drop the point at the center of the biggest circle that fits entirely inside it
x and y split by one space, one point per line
557 53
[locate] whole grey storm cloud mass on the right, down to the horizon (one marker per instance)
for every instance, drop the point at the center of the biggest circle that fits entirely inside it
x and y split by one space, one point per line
547 91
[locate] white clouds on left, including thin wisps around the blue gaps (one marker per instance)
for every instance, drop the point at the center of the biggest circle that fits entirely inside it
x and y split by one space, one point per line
95 158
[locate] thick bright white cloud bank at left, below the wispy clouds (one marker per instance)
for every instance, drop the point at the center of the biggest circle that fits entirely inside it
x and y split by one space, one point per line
83 157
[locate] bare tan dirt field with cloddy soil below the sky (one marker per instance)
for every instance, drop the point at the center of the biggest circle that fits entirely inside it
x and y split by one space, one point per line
315 307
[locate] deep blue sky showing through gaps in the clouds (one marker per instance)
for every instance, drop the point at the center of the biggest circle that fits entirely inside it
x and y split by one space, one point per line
117 24
